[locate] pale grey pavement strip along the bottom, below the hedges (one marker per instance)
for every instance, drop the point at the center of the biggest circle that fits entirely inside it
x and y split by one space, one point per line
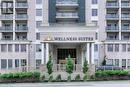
72 84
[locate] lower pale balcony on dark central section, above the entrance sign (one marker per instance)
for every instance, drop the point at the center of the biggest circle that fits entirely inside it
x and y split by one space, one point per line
67 15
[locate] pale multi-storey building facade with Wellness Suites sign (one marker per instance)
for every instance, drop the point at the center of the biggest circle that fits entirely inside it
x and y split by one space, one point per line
32 30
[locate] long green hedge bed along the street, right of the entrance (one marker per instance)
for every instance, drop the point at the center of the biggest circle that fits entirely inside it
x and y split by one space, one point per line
112 75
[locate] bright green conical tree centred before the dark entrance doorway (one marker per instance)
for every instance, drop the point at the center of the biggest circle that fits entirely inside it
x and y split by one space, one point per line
69 66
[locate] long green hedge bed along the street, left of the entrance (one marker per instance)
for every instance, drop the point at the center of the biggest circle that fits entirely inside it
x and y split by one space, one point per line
20 77
